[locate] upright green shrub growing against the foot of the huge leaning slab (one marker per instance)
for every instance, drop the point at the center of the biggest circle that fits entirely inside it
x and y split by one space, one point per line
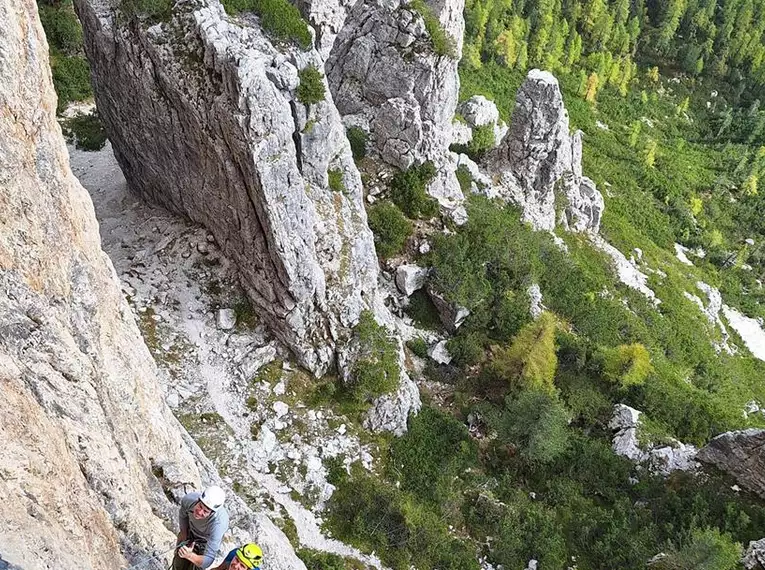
376 370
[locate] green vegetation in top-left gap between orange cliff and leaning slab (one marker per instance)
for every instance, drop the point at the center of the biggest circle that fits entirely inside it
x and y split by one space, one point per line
70 69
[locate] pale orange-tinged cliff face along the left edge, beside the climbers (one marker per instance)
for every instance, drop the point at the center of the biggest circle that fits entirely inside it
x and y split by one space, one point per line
83 425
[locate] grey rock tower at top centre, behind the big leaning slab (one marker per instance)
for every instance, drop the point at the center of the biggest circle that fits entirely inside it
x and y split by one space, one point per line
386 78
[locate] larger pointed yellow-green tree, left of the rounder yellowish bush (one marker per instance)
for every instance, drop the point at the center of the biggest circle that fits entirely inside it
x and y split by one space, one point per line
530 361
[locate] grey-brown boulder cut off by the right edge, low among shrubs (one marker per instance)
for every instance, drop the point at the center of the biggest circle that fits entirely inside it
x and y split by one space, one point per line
741 454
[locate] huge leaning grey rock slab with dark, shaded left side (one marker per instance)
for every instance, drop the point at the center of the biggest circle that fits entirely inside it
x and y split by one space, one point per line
204 119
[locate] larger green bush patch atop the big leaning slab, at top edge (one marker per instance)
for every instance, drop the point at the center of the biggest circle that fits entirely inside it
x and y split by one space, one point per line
279 18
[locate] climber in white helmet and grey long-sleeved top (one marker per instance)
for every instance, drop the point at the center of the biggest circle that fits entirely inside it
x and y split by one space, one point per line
203 520
